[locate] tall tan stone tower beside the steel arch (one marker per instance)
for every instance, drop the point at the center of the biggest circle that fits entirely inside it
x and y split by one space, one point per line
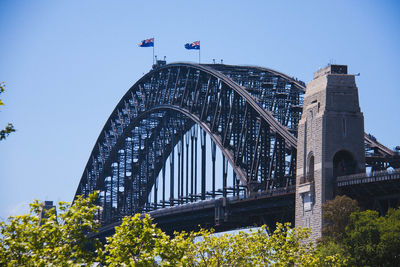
330 142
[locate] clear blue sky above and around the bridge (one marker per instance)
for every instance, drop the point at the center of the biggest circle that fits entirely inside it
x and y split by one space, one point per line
66 64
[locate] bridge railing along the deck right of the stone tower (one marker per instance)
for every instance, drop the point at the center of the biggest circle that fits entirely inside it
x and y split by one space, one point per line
361 178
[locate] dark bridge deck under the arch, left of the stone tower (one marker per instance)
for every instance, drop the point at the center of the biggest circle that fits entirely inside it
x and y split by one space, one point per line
223 214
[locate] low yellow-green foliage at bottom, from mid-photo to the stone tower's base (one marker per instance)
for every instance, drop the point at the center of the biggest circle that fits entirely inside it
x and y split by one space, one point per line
285 246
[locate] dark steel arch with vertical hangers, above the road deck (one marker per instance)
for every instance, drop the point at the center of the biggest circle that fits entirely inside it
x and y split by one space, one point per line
249 113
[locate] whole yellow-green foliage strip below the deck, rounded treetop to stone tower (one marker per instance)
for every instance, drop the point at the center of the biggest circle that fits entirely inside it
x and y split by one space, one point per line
137 242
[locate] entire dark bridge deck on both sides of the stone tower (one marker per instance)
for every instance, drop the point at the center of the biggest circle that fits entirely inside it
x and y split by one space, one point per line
379 190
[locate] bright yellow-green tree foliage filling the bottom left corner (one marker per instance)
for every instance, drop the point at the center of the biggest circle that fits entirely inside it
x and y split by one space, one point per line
56 239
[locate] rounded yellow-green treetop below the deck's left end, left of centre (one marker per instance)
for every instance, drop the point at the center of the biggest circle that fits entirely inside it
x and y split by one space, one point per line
138 242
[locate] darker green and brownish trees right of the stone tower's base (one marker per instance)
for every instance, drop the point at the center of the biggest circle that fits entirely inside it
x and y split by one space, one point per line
361 238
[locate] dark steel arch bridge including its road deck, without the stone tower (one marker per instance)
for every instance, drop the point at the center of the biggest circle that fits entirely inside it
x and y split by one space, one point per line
148 156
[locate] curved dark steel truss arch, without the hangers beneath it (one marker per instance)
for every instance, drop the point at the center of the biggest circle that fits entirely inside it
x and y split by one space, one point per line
251 113
